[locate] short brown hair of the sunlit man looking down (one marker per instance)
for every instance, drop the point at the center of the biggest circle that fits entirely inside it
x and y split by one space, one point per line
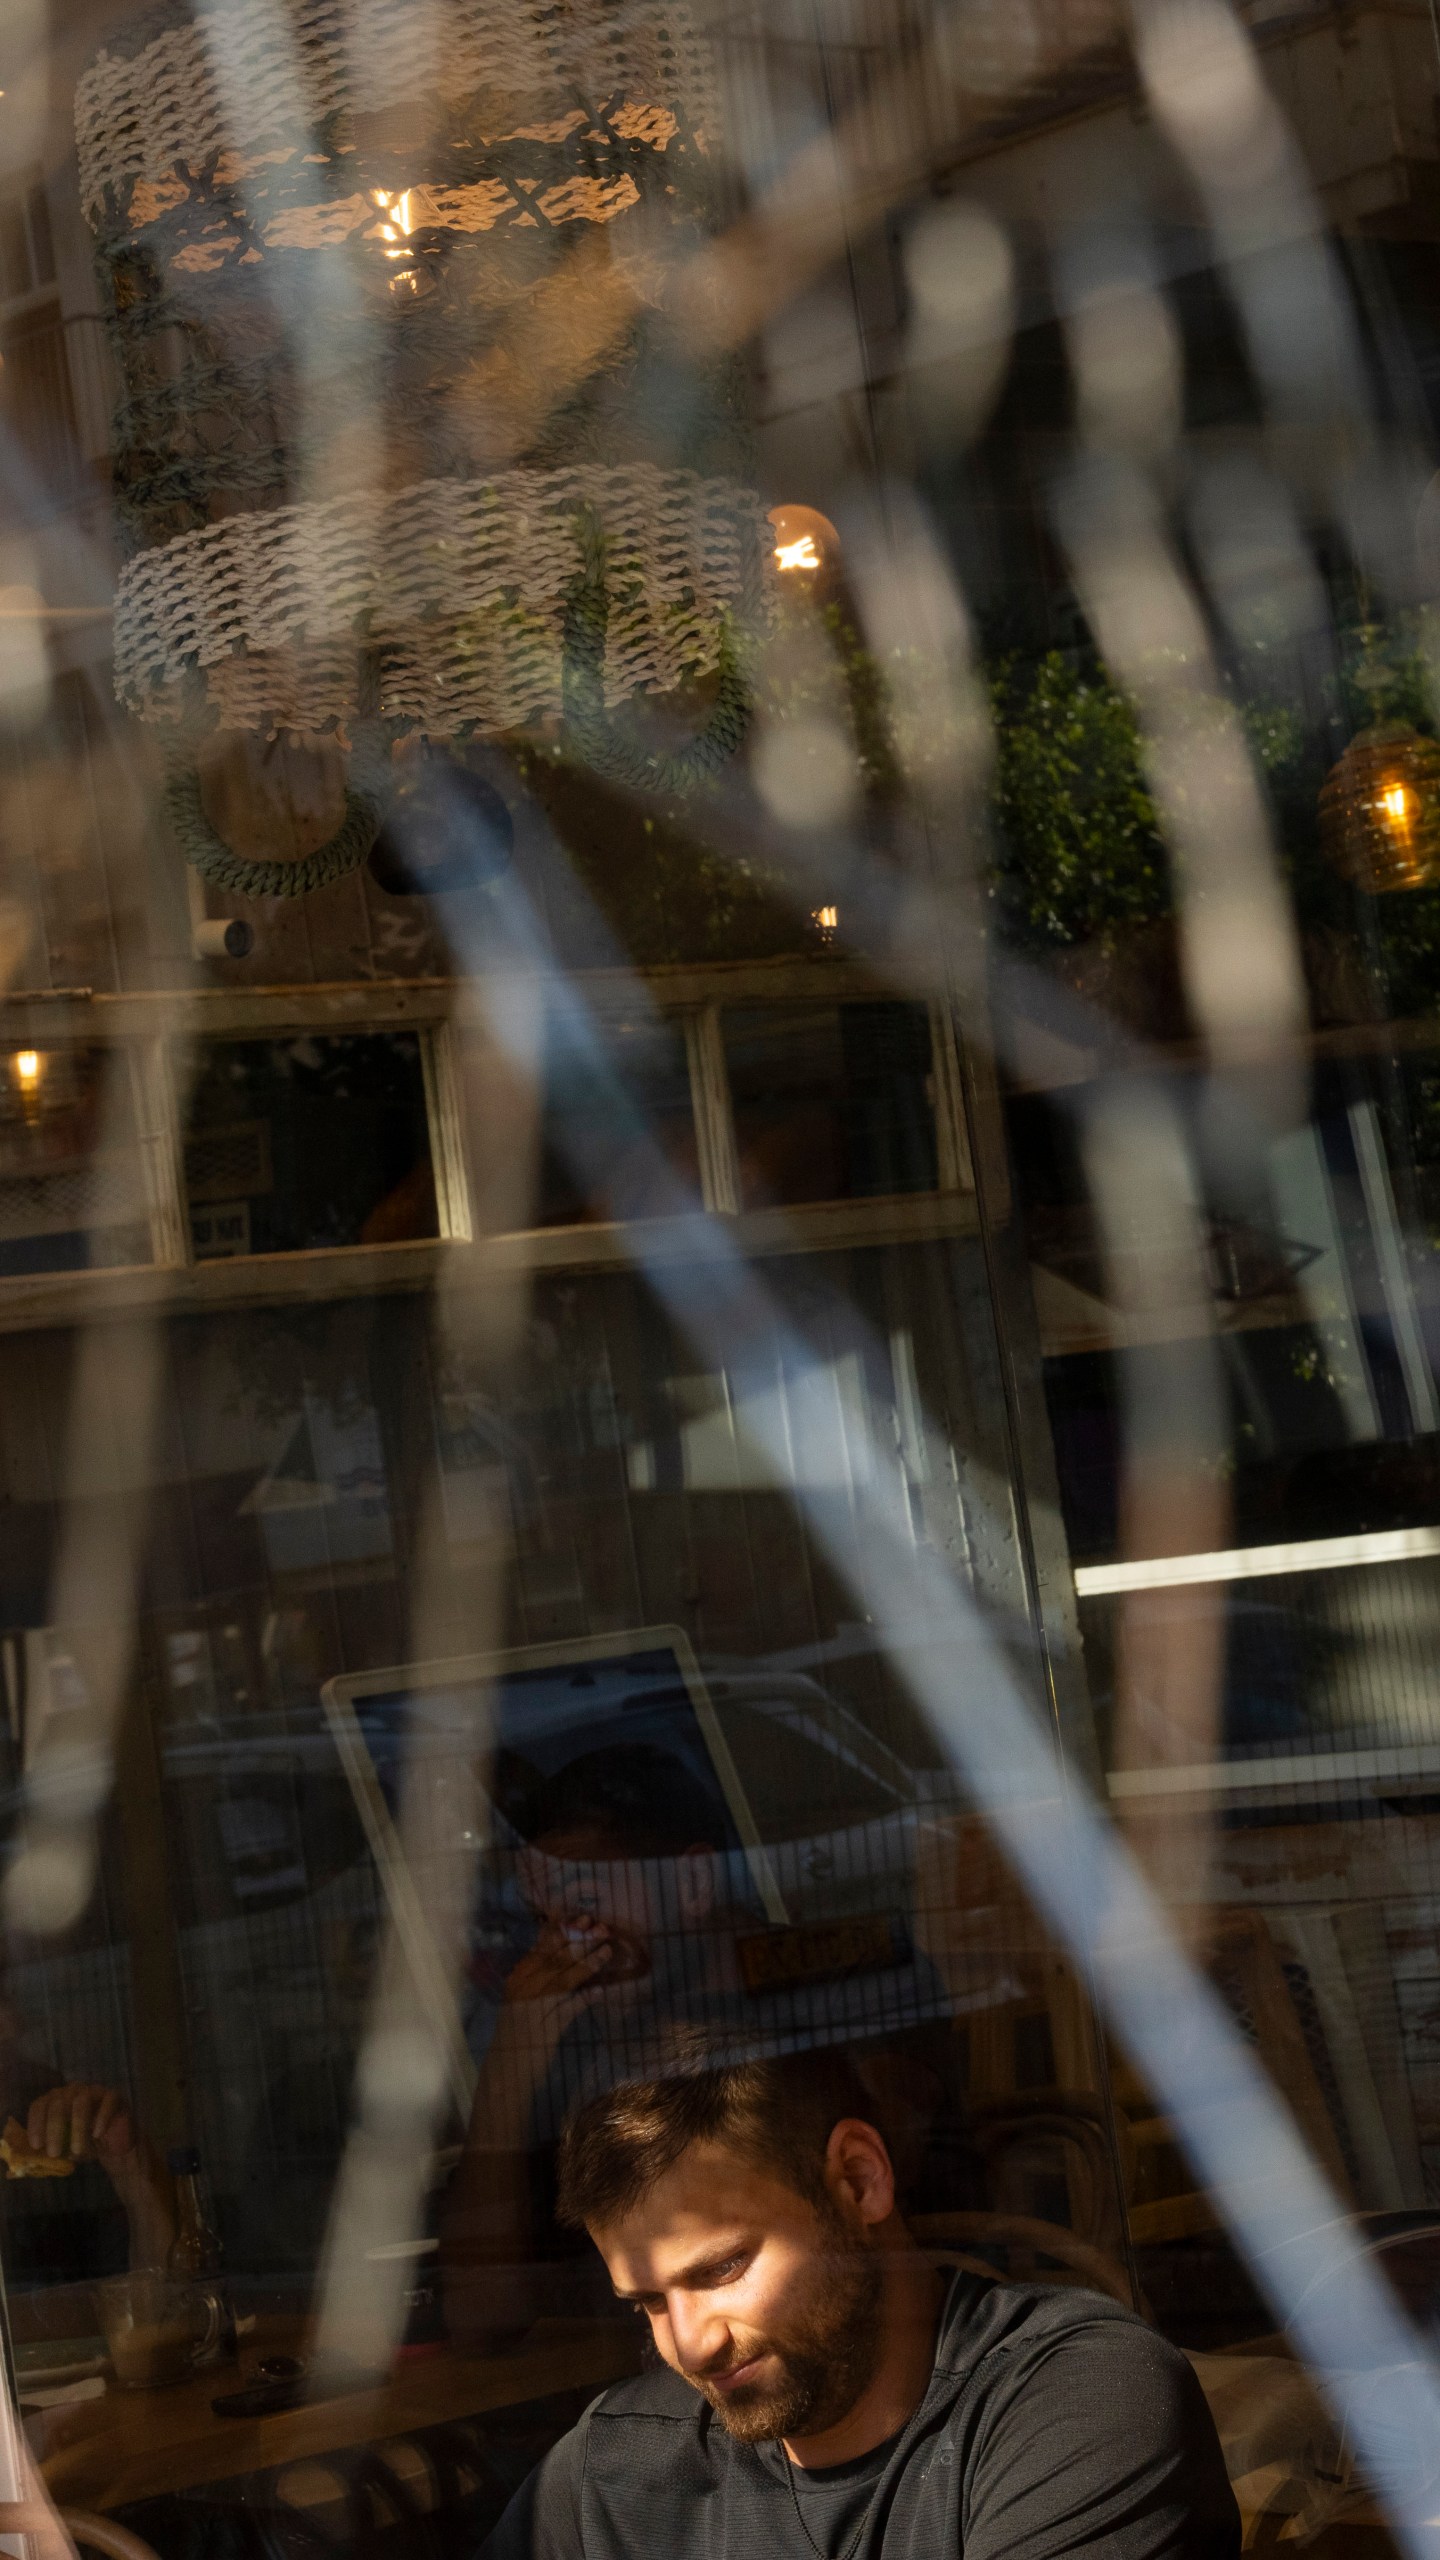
778 2113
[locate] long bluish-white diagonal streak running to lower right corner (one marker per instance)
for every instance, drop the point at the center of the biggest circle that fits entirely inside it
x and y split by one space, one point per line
1236 2131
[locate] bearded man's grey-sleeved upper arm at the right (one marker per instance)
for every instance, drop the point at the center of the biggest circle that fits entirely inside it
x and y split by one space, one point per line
1100 2444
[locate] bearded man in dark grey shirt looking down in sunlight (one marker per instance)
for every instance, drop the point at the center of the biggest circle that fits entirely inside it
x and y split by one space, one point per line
821 2390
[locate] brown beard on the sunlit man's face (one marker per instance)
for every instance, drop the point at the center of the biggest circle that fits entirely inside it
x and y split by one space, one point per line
826 2354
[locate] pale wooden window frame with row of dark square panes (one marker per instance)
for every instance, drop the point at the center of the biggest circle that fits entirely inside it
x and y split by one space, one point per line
165 1030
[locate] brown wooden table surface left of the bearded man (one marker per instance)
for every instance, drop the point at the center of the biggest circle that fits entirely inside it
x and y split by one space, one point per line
147 2444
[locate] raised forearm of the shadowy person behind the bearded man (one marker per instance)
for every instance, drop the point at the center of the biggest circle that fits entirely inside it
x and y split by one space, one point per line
488 2231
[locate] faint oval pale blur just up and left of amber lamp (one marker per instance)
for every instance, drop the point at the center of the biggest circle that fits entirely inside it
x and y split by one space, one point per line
1254 557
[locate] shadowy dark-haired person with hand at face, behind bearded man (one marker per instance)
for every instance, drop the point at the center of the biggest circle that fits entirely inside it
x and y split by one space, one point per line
621 1878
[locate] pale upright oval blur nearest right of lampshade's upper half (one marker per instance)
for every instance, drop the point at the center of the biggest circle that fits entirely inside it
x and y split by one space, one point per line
960 273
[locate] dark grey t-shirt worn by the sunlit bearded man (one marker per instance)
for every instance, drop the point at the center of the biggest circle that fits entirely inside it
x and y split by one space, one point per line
1054 2426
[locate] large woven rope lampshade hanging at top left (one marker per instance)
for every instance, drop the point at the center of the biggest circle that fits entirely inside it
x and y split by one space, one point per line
480 237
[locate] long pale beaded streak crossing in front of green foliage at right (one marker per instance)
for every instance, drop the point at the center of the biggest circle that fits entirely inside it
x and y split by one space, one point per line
1239 946
